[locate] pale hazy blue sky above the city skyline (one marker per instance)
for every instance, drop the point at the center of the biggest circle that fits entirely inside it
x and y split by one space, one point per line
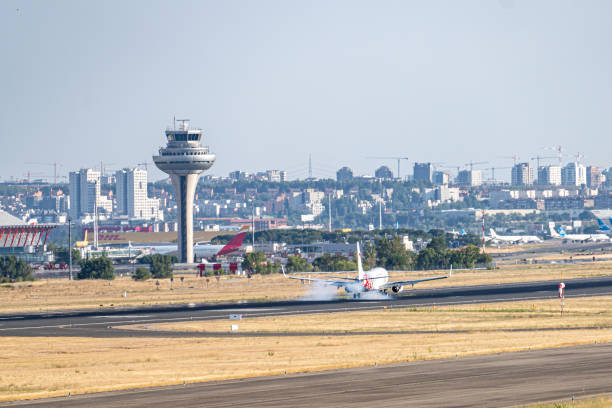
271 81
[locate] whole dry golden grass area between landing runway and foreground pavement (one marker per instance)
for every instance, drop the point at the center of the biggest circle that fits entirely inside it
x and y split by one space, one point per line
38 367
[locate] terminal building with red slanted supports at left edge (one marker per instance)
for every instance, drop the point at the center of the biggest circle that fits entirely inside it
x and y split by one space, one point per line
27 242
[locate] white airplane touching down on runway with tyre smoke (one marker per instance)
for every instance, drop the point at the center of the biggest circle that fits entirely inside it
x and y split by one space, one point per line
376 279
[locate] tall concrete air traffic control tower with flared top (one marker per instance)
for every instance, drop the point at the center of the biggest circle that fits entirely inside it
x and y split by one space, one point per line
184 159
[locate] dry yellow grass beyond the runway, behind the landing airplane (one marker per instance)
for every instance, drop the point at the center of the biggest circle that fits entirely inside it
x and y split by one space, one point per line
57 294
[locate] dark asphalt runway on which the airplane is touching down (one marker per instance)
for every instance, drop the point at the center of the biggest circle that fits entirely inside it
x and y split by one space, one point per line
101 323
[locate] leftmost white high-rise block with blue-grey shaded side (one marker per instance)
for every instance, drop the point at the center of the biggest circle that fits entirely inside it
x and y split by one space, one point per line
85 193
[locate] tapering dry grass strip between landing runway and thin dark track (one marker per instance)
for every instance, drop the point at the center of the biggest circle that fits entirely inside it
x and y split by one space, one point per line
579 312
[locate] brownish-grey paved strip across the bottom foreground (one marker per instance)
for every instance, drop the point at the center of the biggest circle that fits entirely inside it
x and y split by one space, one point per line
498 380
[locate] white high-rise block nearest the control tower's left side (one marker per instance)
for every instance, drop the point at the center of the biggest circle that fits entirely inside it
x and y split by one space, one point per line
132 198
